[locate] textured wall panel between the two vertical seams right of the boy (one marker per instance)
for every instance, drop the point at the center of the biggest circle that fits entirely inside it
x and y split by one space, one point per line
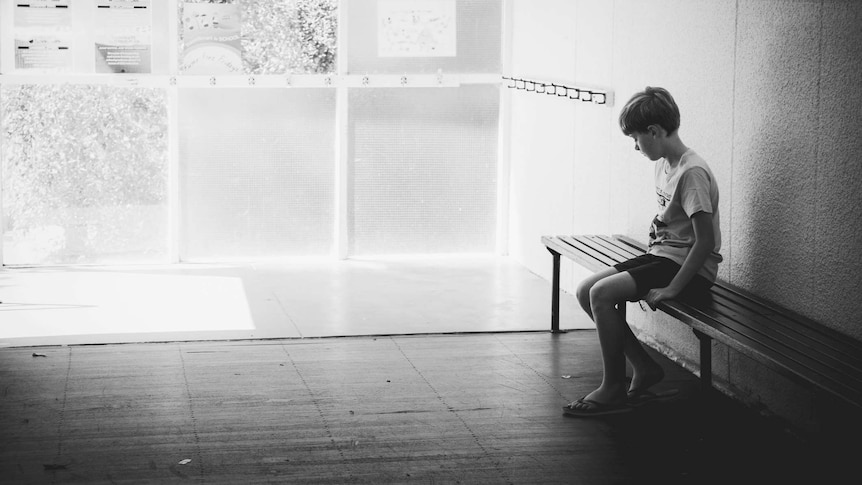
775 149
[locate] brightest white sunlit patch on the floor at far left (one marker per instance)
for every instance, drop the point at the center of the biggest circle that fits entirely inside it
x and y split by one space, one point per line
55 303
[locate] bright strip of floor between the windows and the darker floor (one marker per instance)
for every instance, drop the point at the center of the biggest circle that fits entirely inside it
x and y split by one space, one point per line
384 296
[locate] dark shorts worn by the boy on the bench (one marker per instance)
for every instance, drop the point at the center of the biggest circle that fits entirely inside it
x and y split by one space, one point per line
650 271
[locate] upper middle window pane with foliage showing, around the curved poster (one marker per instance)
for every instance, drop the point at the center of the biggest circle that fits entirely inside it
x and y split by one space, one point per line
281 36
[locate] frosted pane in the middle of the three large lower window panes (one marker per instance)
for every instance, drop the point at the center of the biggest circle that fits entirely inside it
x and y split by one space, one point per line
257 173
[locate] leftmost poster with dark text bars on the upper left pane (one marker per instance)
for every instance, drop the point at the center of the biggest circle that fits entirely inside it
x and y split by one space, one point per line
43 35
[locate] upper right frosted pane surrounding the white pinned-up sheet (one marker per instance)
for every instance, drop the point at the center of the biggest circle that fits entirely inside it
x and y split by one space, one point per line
478 36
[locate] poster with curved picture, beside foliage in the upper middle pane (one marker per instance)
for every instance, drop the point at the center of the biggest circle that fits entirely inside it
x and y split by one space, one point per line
211 39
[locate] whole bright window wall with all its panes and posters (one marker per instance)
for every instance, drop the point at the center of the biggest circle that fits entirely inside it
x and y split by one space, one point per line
255 130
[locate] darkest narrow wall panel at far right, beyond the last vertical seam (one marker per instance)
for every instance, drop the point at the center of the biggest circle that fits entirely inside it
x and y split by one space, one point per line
838 228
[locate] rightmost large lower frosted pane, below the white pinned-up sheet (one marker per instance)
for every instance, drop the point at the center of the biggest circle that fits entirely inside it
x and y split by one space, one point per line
424 170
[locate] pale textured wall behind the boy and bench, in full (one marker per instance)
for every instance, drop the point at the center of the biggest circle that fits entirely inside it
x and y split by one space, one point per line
770 95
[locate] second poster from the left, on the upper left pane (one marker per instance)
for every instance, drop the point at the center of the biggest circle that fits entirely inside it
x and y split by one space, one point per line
123 36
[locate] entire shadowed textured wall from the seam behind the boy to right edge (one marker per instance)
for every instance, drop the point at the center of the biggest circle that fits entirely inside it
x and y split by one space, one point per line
796 171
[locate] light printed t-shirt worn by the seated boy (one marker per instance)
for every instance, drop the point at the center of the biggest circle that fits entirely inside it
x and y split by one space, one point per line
683 191
